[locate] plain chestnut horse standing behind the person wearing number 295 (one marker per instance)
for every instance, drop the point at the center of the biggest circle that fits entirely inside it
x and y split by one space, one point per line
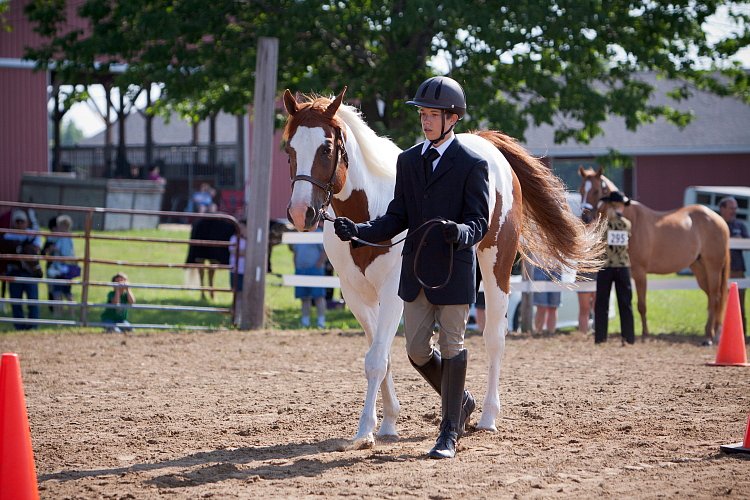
666 242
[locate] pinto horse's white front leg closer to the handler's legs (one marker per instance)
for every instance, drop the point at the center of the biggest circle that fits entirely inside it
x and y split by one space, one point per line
391 308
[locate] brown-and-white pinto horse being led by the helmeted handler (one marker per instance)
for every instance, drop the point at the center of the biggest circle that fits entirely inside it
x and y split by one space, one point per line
340 167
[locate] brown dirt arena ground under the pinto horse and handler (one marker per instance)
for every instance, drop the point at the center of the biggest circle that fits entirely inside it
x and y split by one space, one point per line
264 415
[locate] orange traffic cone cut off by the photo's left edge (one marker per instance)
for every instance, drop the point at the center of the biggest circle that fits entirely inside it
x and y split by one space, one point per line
17 474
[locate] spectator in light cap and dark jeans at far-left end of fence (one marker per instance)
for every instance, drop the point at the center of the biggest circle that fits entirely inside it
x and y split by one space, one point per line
25 244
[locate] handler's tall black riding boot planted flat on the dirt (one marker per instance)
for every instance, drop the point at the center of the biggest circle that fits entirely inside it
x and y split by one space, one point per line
452 392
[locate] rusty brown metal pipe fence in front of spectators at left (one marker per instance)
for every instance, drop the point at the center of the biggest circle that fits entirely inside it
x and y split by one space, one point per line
86 307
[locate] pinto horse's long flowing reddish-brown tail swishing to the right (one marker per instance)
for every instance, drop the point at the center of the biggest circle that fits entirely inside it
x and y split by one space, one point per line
555 235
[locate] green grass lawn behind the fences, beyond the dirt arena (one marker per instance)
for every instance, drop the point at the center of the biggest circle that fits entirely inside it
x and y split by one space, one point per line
670 311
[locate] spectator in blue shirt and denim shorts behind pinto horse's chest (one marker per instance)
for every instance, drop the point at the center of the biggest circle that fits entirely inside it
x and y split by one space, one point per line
310 260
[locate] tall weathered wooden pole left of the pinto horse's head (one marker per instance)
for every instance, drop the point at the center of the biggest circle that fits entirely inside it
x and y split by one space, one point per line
258 188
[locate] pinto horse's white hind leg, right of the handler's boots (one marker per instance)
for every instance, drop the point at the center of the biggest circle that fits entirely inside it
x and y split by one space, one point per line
494 341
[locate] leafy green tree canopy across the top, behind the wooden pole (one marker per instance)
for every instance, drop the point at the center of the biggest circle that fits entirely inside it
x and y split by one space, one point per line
521 63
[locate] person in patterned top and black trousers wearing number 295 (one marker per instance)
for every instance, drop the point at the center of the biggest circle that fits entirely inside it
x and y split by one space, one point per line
616 270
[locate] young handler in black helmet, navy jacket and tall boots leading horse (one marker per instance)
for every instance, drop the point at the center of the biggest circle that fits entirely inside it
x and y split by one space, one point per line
426 180
